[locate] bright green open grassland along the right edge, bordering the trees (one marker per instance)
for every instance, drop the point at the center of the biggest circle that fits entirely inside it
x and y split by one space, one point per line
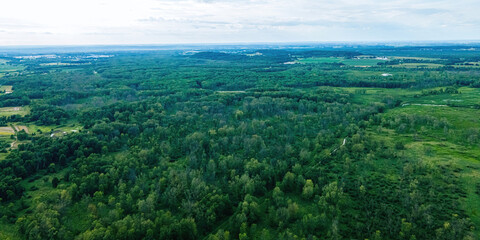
433 146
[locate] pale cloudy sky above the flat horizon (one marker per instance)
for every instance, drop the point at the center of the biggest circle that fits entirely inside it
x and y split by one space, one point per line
106 22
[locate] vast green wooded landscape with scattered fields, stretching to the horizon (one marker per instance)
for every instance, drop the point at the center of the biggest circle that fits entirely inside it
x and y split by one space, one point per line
244 143
